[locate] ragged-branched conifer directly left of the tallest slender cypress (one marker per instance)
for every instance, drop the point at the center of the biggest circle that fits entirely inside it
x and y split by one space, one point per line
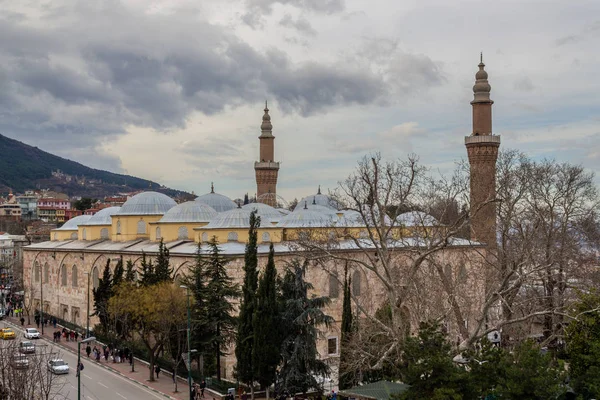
220 290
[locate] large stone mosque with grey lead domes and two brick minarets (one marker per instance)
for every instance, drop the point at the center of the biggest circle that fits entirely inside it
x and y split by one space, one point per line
61 272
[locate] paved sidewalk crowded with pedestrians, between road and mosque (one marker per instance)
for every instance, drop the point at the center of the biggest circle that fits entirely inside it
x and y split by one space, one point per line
164 385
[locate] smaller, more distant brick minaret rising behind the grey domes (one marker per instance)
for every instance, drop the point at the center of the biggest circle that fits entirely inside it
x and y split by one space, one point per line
266 169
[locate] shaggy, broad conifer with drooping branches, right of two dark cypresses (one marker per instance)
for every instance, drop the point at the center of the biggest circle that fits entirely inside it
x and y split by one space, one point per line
301 317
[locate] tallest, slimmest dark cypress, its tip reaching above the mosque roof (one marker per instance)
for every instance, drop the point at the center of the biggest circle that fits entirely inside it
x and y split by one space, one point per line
245 334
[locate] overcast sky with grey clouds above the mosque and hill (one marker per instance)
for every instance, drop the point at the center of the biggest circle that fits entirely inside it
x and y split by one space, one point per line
173 90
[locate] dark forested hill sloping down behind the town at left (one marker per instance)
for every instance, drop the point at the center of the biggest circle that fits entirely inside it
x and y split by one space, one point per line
24 167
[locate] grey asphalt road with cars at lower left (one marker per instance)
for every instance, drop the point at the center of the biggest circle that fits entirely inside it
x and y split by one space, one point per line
97 383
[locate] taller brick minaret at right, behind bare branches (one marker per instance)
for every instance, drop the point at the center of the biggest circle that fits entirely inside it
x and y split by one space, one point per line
482 148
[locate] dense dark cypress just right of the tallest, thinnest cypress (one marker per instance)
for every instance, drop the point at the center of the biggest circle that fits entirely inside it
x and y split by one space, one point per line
266 325
